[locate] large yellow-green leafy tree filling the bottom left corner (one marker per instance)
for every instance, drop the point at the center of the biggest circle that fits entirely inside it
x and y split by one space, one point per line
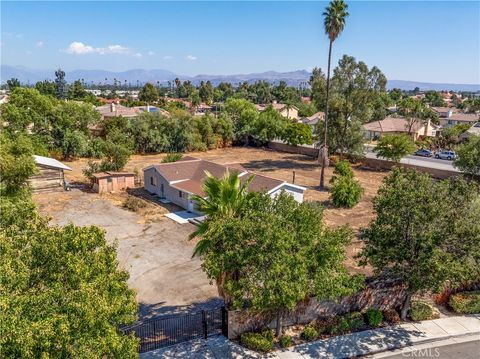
62 292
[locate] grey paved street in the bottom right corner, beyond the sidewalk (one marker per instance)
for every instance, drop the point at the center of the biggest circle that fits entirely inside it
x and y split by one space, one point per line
468 350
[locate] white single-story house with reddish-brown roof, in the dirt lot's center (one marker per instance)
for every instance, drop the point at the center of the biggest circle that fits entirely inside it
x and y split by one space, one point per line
178 181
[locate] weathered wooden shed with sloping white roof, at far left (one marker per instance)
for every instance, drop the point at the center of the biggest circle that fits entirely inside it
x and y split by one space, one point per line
50 176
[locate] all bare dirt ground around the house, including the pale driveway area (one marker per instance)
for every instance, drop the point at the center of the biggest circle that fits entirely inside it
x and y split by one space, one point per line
156 251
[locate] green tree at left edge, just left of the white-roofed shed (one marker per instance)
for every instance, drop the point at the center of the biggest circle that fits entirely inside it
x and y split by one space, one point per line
16 162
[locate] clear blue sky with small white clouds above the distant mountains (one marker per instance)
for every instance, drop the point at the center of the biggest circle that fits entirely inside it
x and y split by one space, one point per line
435 41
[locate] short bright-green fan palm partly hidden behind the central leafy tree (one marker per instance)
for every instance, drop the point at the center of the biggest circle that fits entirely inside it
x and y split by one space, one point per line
225 198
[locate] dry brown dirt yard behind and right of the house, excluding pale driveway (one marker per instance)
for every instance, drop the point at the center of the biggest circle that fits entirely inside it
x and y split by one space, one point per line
281 165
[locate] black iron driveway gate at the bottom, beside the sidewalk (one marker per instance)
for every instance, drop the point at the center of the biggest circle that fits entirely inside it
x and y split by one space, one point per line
173 329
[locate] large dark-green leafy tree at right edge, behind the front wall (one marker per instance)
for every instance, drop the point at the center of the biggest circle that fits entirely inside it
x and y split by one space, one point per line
426 232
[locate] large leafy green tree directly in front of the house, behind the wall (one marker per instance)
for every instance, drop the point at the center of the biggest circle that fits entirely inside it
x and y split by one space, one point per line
281 235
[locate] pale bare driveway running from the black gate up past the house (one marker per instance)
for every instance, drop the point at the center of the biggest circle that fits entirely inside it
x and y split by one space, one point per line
157 255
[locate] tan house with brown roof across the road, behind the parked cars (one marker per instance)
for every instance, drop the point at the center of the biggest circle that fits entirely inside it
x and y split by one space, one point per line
399 125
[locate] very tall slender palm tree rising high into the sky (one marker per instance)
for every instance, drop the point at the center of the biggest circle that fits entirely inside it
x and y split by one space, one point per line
334 23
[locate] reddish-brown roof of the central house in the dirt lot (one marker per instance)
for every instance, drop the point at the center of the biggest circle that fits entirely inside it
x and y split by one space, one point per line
189 173
